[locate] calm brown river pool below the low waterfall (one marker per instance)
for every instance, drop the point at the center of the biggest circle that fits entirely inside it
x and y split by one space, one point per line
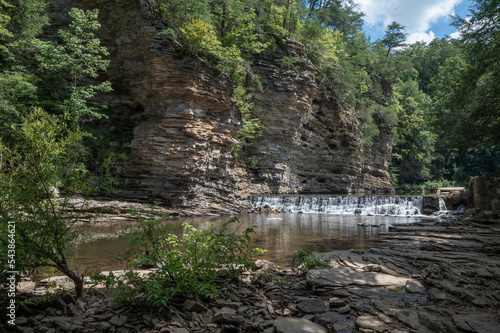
280 234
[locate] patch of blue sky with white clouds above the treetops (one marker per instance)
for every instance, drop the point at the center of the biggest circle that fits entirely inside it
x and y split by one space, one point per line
424 19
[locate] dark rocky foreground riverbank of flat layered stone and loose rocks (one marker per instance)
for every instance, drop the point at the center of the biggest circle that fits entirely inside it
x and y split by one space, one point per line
434 277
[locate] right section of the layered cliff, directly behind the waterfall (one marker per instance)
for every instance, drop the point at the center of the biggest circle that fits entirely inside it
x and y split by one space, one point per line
310 143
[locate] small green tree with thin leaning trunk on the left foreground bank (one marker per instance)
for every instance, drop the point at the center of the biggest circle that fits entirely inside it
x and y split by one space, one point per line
46 155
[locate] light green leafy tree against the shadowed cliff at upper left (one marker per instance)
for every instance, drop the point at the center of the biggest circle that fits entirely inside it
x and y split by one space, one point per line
77 59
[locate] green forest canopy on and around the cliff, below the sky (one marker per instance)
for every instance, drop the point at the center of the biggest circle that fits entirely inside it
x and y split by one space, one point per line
441 99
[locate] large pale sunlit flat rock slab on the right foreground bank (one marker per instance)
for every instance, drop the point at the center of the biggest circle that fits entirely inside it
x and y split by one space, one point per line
346 276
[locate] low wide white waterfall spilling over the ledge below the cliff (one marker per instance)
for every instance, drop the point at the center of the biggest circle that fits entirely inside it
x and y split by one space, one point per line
363 205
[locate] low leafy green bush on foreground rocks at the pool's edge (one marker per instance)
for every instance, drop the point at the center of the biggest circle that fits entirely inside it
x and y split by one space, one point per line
186 266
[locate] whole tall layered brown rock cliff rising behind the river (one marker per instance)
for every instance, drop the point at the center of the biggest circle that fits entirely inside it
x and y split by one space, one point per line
184 120
